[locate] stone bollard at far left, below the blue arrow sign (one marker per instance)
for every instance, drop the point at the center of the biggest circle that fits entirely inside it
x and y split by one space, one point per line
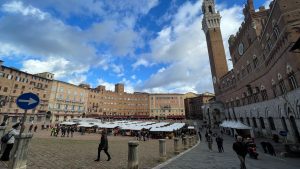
19 157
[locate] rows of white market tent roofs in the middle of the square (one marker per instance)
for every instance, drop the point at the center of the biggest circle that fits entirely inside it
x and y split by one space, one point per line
128 125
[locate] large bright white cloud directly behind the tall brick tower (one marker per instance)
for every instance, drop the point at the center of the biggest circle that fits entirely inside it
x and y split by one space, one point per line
182 45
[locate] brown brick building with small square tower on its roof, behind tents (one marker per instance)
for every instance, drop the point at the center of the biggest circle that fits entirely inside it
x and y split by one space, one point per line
117 104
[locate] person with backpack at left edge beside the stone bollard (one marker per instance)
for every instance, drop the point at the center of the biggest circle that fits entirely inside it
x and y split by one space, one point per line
9 141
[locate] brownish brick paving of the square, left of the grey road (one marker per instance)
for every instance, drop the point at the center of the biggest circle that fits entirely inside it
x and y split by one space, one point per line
79 152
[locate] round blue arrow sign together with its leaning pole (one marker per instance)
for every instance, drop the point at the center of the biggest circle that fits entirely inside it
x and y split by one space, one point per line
25 101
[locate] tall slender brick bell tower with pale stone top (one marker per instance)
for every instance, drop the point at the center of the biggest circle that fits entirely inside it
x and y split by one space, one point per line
211 27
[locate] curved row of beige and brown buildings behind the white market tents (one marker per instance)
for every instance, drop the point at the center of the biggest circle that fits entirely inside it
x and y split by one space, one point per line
61 101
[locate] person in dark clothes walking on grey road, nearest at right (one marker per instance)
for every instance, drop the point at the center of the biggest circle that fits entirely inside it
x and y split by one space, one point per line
241 150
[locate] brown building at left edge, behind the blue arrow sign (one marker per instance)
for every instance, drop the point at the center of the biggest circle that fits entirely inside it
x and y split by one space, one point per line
13 83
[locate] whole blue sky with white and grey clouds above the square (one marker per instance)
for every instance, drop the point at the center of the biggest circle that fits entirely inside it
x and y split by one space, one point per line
149 45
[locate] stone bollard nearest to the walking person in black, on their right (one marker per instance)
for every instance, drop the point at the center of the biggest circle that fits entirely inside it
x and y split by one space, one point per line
133 160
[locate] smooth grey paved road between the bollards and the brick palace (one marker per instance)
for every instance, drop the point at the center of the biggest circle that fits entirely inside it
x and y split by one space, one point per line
201 158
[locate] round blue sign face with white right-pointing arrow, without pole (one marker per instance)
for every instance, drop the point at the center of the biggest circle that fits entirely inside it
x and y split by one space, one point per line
28 101
